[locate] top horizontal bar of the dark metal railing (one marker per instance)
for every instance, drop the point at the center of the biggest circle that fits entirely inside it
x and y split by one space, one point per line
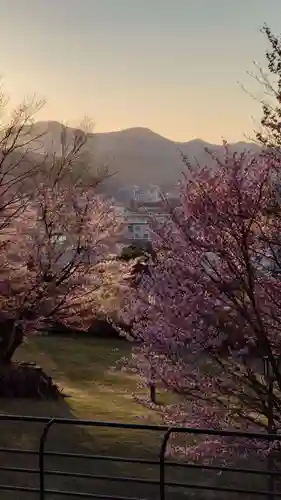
164 428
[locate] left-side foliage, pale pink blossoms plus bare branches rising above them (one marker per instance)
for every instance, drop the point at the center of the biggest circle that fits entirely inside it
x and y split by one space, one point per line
54 232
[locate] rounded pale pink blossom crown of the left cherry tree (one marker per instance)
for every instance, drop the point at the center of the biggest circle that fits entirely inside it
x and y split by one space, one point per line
52 260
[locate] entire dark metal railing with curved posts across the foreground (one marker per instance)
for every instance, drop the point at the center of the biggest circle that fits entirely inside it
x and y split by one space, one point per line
161 483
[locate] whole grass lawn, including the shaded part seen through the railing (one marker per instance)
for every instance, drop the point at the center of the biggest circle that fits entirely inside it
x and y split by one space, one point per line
85 370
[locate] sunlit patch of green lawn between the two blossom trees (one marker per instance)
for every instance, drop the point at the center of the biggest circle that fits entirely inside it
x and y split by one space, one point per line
86 371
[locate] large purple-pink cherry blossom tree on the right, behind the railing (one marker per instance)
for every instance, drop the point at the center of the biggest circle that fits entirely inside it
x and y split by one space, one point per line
208 310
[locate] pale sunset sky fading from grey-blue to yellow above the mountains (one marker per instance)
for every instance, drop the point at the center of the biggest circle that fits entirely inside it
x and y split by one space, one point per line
174 66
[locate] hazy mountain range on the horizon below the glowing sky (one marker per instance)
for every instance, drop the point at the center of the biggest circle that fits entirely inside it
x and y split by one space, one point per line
137 156
